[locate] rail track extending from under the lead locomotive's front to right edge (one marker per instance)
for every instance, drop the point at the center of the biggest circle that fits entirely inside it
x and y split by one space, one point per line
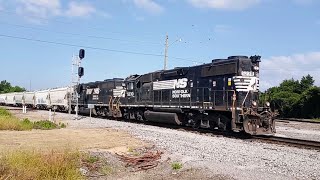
300 143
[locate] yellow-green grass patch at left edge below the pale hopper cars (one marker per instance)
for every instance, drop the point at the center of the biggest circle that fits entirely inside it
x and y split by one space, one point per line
10 122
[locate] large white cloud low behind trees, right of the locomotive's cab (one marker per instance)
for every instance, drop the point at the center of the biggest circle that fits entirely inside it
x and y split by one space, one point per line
277 68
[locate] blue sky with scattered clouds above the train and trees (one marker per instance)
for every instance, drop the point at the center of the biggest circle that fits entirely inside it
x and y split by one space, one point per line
285 33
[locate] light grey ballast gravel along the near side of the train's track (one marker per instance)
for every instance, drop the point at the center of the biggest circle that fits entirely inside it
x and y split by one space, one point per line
237 158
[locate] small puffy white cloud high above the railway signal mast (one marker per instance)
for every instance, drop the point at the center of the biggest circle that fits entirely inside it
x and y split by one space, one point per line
77 9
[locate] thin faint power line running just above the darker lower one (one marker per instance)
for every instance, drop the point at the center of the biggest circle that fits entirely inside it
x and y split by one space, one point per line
82 35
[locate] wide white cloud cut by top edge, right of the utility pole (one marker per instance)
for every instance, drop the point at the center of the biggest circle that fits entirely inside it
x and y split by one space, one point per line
224 4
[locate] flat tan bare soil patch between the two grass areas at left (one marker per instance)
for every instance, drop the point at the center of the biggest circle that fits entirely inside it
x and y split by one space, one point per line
83 139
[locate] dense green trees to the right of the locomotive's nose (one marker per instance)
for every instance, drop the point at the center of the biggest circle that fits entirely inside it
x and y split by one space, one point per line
294 98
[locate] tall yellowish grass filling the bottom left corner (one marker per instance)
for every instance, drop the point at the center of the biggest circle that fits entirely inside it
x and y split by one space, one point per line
36 165
